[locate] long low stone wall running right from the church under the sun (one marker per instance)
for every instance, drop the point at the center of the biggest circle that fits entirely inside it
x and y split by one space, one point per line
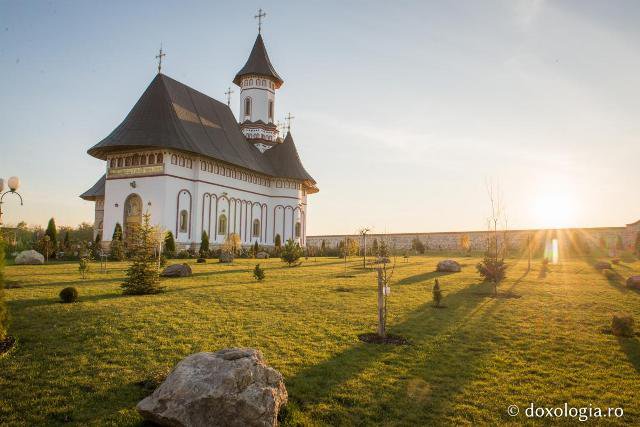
602 237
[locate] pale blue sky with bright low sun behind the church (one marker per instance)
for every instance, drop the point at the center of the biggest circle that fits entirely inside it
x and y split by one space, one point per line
404 111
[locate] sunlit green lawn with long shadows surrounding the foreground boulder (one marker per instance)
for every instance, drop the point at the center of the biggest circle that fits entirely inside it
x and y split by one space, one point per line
83 363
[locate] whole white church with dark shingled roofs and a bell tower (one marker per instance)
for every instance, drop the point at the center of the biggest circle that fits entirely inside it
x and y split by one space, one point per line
182 156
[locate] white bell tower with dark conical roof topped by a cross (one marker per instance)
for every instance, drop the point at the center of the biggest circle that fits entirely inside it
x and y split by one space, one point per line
258 82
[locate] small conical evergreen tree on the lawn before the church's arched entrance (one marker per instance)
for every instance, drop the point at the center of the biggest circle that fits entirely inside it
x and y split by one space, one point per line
143 276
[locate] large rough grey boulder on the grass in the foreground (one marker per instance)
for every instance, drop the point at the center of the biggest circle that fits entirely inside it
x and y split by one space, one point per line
231 387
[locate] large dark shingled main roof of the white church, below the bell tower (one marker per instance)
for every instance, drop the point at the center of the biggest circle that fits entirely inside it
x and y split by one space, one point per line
170 114
